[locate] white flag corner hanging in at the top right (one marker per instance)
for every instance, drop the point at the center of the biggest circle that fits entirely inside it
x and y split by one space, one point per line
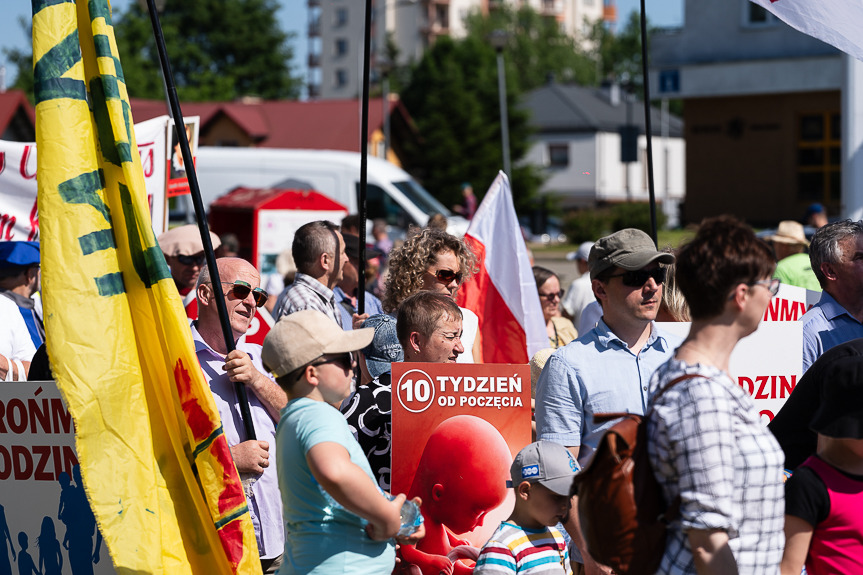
837 22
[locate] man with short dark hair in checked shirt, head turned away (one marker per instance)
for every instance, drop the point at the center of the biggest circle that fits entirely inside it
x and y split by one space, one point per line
319 254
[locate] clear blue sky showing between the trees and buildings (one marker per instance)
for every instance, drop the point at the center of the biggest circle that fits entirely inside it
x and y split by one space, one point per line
293 18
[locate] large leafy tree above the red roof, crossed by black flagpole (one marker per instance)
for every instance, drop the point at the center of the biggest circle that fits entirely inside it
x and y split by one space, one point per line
219 50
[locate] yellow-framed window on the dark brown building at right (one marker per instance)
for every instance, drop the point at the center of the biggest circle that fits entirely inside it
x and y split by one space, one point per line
819 157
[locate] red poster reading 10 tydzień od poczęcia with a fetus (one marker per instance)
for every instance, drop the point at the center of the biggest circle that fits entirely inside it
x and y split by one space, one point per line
455 431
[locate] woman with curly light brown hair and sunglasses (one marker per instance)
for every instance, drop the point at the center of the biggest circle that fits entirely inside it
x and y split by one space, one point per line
436 261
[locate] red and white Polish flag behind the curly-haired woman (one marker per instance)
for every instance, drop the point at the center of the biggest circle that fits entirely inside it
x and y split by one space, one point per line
503 294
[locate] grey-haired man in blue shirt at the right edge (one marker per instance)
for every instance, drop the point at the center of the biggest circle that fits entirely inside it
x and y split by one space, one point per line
836 255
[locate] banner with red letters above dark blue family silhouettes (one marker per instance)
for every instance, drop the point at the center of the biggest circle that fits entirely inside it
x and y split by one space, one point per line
45 518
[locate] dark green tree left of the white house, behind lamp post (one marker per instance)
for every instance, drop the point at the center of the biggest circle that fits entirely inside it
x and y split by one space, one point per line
453 97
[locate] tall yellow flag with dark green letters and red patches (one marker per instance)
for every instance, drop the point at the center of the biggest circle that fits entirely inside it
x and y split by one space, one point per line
155 462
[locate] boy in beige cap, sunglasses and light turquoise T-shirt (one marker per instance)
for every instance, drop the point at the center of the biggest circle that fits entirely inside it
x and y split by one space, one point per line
338 516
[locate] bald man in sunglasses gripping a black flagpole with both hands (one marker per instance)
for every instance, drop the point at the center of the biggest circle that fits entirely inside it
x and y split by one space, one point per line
239 287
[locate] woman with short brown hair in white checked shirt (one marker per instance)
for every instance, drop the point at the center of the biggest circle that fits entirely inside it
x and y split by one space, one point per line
707 445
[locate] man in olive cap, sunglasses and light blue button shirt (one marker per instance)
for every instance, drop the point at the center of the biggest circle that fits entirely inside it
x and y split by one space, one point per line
607 369
